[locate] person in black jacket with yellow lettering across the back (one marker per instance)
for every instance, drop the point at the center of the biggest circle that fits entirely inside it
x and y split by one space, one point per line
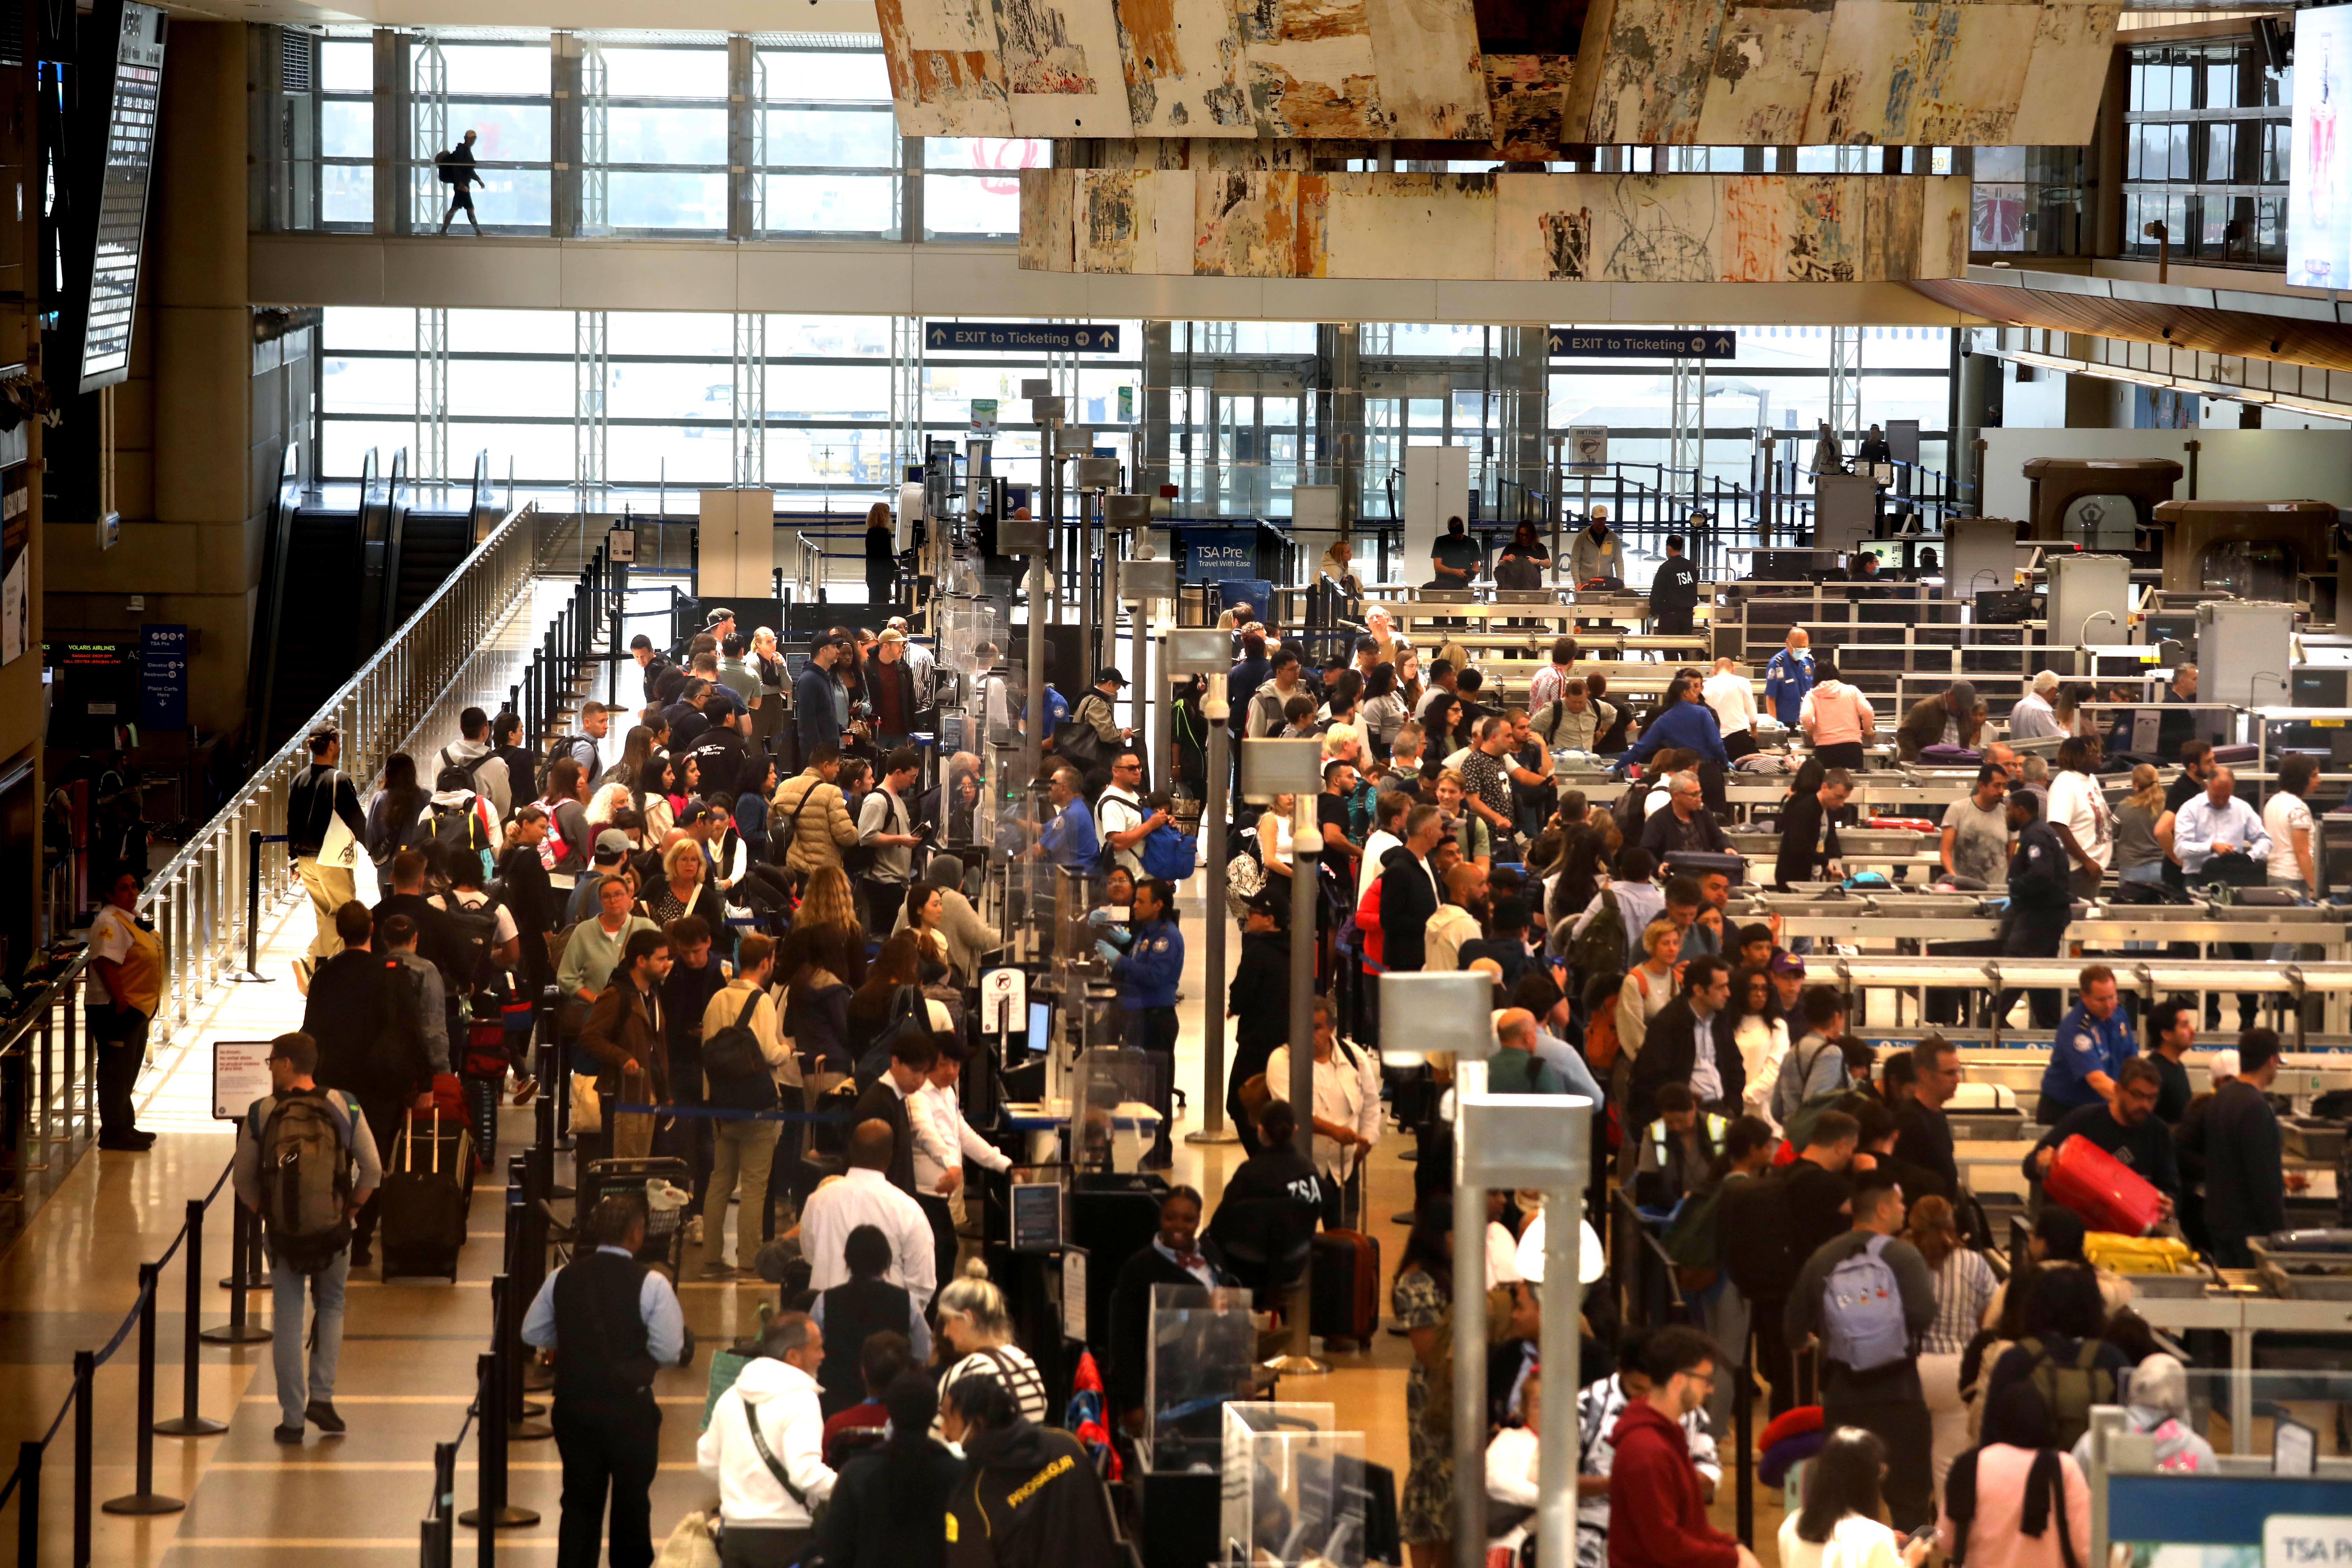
1029 1499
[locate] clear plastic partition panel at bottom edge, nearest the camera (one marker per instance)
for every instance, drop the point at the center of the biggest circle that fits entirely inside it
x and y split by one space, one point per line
1292 1489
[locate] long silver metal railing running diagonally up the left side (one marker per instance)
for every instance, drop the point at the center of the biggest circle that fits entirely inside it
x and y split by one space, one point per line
206 899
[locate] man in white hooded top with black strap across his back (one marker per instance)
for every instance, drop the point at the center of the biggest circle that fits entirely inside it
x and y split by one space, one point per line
766 1449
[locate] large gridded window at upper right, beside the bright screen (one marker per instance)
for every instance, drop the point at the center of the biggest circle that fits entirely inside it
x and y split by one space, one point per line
2205 154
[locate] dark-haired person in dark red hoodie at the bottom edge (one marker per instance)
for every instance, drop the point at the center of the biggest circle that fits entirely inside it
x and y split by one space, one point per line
1657 1513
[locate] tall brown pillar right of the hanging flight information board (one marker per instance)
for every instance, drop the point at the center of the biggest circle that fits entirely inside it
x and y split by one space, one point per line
208 413
